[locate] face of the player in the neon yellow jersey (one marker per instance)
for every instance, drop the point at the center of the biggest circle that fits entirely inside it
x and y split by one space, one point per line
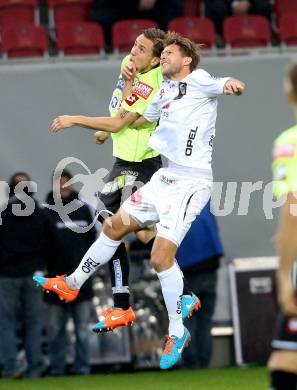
142 54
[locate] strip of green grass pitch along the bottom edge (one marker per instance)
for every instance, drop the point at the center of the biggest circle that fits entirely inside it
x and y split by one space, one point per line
219 379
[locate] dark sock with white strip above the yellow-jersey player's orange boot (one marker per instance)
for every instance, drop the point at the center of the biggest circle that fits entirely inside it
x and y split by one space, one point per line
119 273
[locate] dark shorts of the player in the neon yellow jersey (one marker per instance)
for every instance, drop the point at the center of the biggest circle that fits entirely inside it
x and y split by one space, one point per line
125 178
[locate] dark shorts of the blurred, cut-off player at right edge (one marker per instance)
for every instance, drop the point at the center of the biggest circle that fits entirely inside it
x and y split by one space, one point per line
285 337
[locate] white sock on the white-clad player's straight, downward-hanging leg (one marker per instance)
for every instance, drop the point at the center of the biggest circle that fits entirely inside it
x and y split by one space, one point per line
172 288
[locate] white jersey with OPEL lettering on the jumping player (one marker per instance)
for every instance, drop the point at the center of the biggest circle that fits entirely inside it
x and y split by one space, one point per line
187 110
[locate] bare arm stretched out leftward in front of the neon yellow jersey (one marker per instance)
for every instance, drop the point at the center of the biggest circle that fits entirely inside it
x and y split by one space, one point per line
108 124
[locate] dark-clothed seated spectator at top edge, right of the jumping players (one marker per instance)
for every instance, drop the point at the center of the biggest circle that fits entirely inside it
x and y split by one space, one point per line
219 10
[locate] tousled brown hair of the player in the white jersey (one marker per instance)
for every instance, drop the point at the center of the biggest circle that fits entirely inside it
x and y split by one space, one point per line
186 46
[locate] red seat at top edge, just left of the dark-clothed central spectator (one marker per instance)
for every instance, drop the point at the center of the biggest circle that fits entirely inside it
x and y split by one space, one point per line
61 11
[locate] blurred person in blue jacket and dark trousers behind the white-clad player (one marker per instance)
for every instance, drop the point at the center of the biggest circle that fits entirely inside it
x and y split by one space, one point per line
199 256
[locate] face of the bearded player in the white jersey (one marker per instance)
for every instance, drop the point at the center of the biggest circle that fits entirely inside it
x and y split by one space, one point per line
172 61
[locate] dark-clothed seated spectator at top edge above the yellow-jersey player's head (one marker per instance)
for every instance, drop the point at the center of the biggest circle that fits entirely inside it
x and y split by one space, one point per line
106 12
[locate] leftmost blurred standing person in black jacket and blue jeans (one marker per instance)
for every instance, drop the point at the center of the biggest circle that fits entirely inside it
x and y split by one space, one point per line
26 239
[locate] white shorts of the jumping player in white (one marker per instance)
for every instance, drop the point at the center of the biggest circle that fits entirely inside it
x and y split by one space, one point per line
171 200
